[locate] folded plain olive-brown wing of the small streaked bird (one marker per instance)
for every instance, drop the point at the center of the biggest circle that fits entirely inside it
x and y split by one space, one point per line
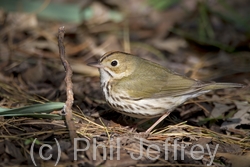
150 80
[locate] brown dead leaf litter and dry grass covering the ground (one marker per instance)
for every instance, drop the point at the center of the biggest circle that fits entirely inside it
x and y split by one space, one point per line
215 126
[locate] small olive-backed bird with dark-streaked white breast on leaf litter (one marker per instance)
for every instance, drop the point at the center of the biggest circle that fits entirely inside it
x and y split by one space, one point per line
140 88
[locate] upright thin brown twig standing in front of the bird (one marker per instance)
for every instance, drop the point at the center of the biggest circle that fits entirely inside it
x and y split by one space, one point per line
70 99
